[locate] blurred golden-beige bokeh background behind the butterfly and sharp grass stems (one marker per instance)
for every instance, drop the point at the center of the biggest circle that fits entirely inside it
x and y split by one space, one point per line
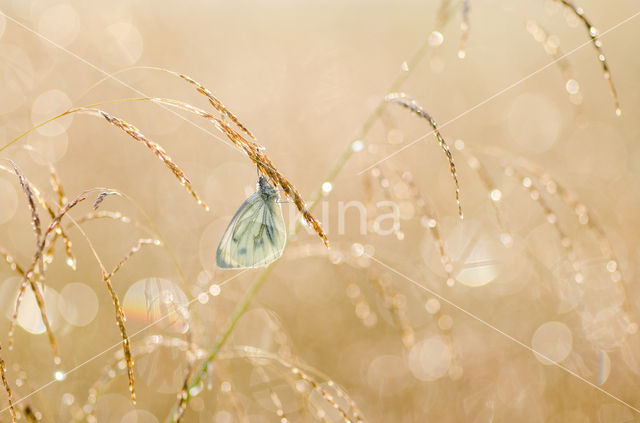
440 324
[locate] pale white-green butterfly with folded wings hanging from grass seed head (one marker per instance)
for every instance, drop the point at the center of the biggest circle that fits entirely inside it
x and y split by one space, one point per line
256 234
